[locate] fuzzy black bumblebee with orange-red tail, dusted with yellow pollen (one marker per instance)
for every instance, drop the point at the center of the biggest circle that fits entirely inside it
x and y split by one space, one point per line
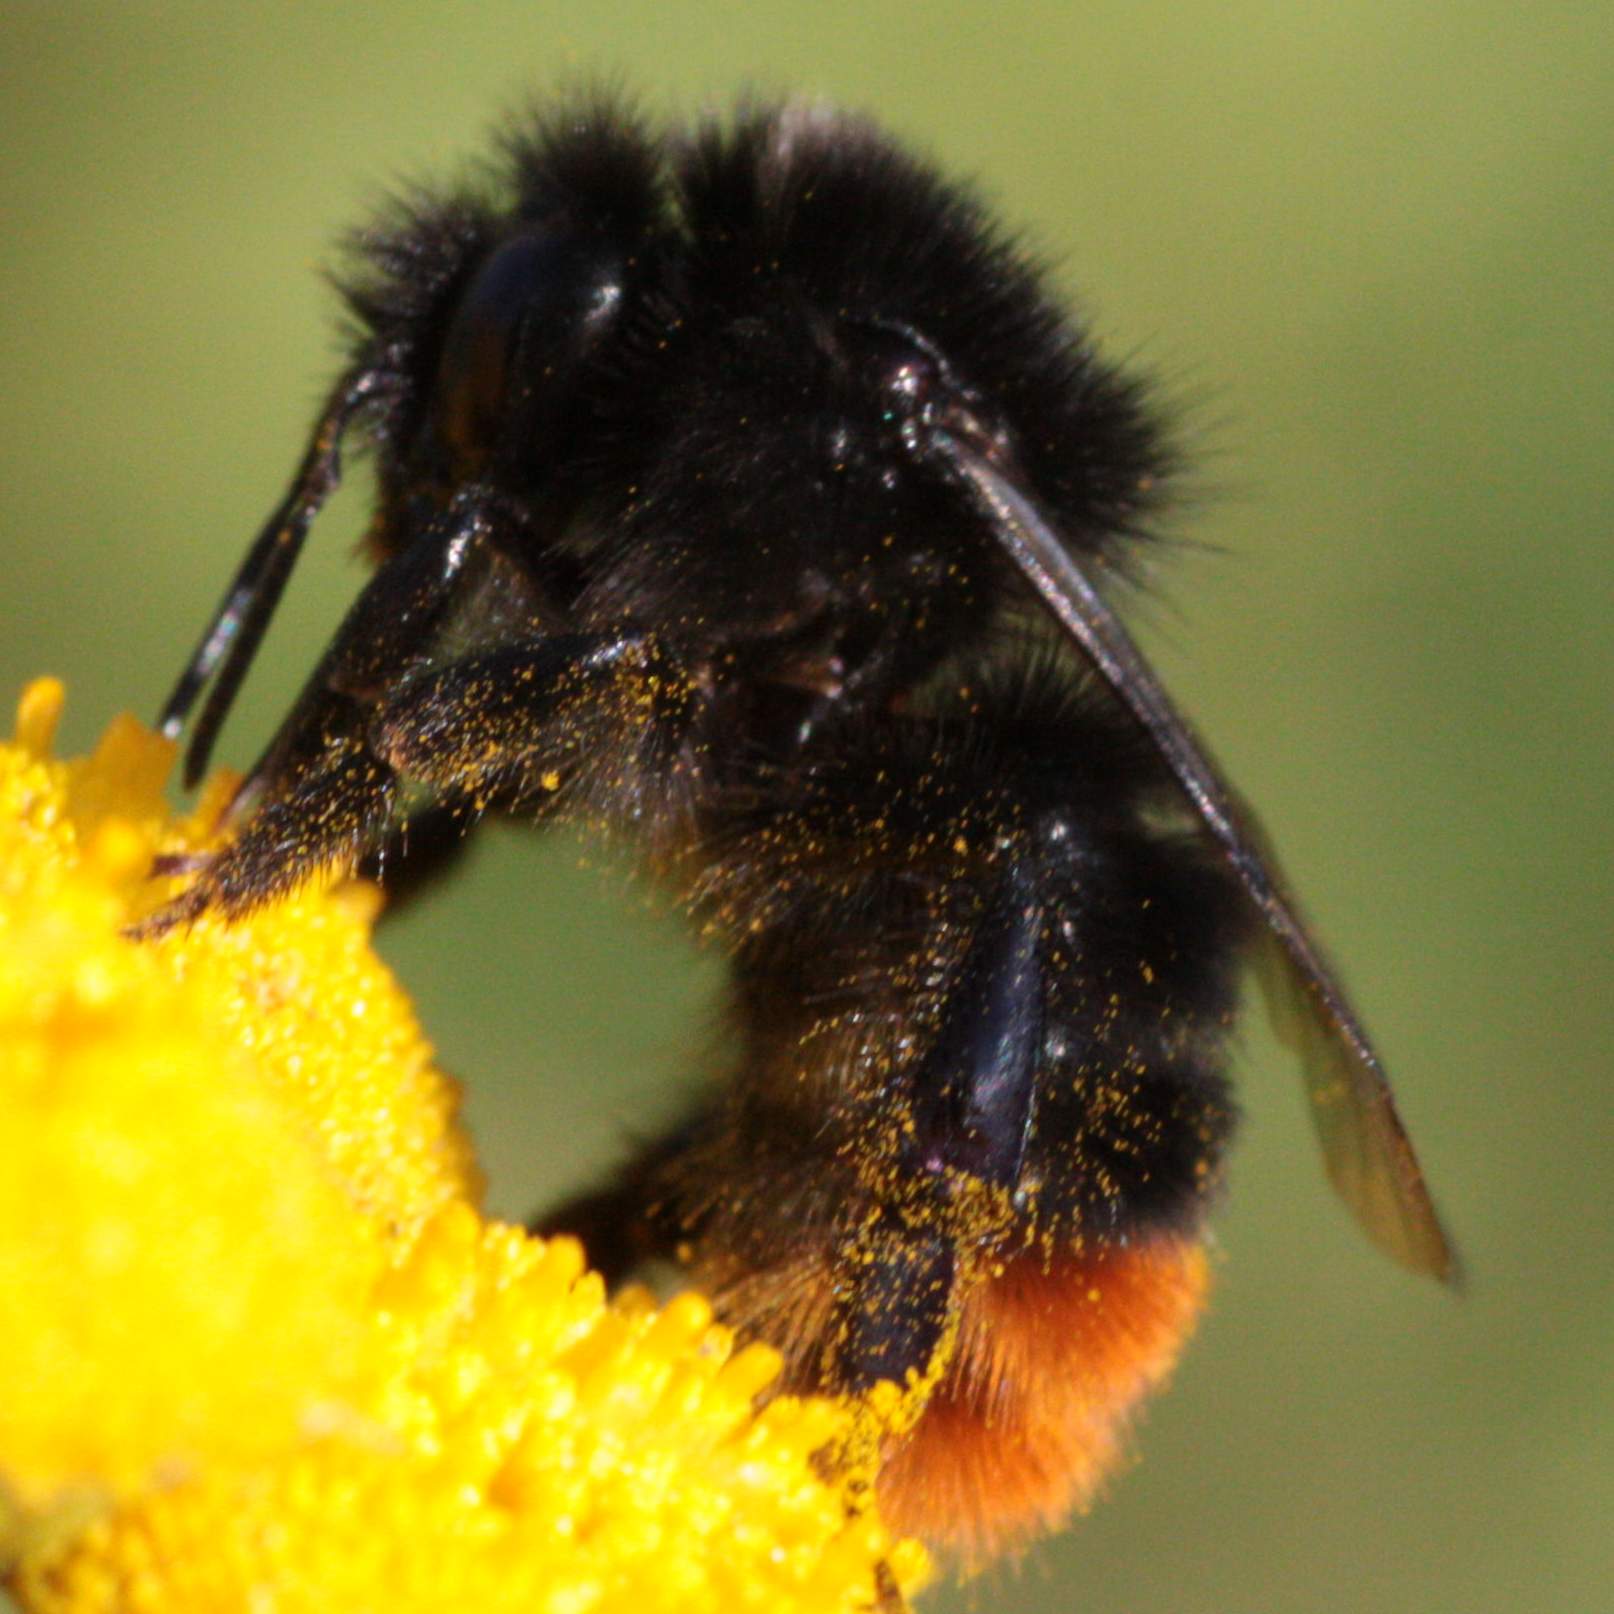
745 495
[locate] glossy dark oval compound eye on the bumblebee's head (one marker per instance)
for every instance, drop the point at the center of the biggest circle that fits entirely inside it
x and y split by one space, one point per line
530 312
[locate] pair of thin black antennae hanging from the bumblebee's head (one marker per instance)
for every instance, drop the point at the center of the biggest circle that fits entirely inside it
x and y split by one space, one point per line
249 603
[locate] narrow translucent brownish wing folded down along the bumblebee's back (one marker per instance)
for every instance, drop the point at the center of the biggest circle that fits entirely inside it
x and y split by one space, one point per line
1366 1148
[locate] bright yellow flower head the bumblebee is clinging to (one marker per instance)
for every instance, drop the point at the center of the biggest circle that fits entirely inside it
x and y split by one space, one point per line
259 1347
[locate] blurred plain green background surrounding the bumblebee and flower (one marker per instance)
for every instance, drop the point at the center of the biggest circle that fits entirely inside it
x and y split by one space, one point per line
1373 246
